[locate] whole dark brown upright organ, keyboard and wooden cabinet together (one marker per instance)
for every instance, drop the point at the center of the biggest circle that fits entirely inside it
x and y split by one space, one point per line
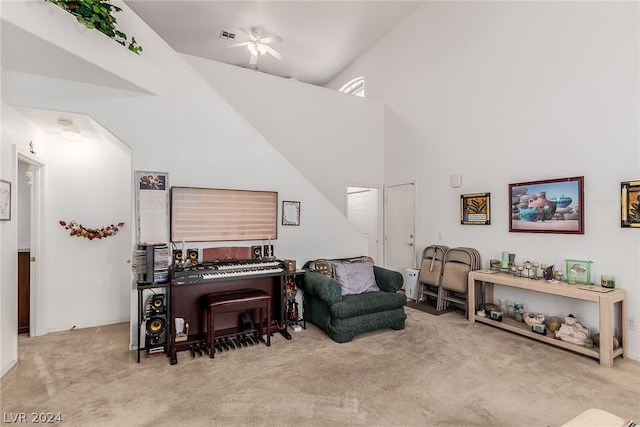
190 284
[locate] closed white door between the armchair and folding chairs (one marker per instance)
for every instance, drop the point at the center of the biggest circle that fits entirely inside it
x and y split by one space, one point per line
400 214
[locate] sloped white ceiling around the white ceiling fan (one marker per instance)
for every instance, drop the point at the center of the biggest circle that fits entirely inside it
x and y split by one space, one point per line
319 38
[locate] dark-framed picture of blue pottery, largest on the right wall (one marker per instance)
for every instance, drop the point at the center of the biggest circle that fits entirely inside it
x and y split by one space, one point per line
548 206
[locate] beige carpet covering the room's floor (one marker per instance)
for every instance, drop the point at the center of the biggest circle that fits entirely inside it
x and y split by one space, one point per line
438 371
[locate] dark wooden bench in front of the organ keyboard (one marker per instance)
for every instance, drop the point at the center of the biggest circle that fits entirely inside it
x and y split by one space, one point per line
232 301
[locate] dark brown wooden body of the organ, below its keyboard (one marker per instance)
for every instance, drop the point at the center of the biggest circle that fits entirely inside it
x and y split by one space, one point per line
187 303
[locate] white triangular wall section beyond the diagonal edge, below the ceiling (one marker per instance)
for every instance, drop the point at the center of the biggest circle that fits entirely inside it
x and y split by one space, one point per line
319 131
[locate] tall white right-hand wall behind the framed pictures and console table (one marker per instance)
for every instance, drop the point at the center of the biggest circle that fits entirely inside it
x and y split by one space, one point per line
505 92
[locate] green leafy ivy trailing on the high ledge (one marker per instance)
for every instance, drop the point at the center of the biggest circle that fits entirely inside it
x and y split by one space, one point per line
97 14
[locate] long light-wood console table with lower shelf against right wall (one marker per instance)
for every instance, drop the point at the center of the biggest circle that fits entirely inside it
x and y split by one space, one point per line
605 301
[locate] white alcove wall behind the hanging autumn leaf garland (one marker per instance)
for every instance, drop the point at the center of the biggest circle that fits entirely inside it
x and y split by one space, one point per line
89 181
